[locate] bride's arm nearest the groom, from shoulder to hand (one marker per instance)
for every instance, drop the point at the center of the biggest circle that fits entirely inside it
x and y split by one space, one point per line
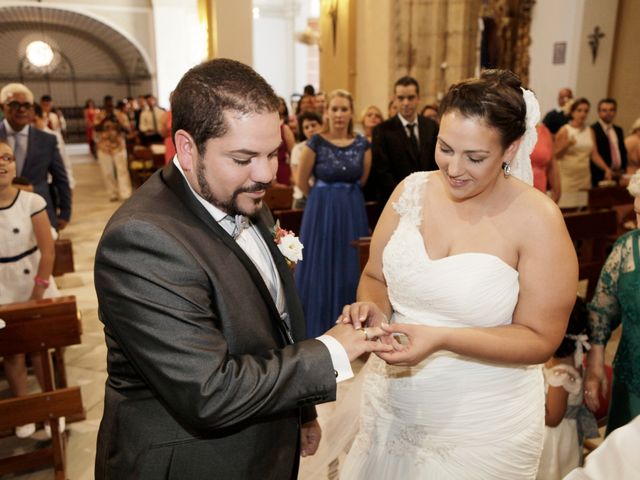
373 306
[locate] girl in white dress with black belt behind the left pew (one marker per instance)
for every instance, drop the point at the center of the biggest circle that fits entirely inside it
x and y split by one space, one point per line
26 262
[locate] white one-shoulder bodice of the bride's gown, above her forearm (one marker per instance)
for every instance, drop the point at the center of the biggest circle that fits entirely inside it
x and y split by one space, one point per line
469 289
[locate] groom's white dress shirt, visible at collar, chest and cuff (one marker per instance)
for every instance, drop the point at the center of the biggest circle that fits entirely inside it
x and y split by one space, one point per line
256 249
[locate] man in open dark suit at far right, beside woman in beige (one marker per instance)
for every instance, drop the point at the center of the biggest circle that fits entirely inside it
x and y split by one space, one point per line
609 141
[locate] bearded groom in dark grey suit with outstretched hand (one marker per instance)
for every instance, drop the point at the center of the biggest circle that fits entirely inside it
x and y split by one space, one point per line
209 372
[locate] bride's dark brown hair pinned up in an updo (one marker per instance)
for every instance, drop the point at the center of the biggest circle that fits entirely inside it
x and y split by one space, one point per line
495 97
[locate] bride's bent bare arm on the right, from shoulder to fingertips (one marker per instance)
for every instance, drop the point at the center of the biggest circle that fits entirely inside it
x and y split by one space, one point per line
548 277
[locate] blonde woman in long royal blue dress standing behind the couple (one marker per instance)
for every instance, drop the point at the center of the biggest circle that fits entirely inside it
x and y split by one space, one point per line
335 215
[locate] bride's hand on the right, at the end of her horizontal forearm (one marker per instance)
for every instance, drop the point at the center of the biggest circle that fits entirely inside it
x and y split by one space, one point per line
416 342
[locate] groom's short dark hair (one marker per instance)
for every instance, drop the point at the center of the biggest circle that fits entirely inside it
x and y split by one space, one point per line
207 91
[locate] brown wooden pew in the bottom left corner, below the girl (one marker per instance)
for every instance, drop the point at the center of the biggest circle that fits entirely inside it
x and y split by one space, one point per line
38 326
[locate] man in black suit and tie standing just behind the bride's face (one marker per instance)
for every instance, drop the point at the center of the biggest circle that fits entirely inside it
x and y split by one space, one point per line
403 144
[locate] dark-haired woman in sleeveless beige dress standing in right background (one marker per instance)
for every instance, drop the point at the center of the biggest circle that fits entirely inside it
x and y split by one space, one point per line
575 146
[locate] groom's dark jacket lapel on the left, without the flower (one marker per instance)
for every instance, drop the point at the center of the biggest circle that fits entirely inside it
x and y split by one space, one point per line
177 183
